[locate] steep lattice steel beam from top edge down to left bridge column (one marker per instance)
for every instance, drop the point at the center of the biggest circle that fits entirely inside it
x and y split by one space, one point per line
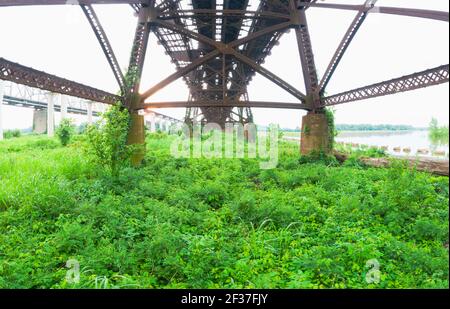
104 43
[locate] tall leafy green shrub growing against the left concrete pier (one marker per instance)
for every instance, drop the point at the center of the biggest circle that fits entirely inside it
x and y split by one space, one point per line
107 140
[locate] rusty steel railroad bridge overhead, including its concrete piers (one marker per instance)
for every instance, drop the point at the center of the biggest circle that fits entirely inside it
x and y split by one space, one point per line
217 47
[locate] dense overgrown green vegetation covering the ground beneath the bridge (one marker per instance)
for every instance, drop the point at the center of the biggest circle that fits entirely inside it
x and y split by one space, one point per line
197 223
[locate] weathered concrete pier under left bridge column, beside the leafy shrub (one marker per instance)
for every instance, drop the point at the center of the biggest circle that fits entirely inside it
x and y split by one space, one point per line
136 133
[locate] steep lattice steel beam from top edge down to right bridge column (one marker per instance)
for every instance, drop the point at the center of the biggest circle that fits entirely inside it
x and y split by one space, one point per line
345 43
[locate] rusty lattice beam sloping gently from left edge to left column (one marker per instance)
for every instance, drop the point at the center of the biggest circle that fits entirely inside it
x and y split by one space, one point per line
20 74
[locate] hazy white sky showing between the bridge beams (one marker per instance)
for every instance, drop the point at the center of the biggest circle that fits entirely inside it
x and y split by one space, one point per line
59 40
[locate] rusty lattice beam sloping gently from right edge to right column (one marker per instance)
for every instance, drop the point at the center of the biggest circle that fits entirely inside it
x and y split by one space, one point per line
414 81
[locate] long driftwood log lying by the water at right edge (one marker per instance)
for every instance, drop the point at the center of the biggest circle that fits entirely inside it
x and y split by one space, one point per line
434 166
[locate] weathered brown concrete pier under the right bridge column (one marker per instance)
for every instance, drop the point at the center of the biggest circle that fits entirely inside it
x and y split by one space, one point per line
315 134
